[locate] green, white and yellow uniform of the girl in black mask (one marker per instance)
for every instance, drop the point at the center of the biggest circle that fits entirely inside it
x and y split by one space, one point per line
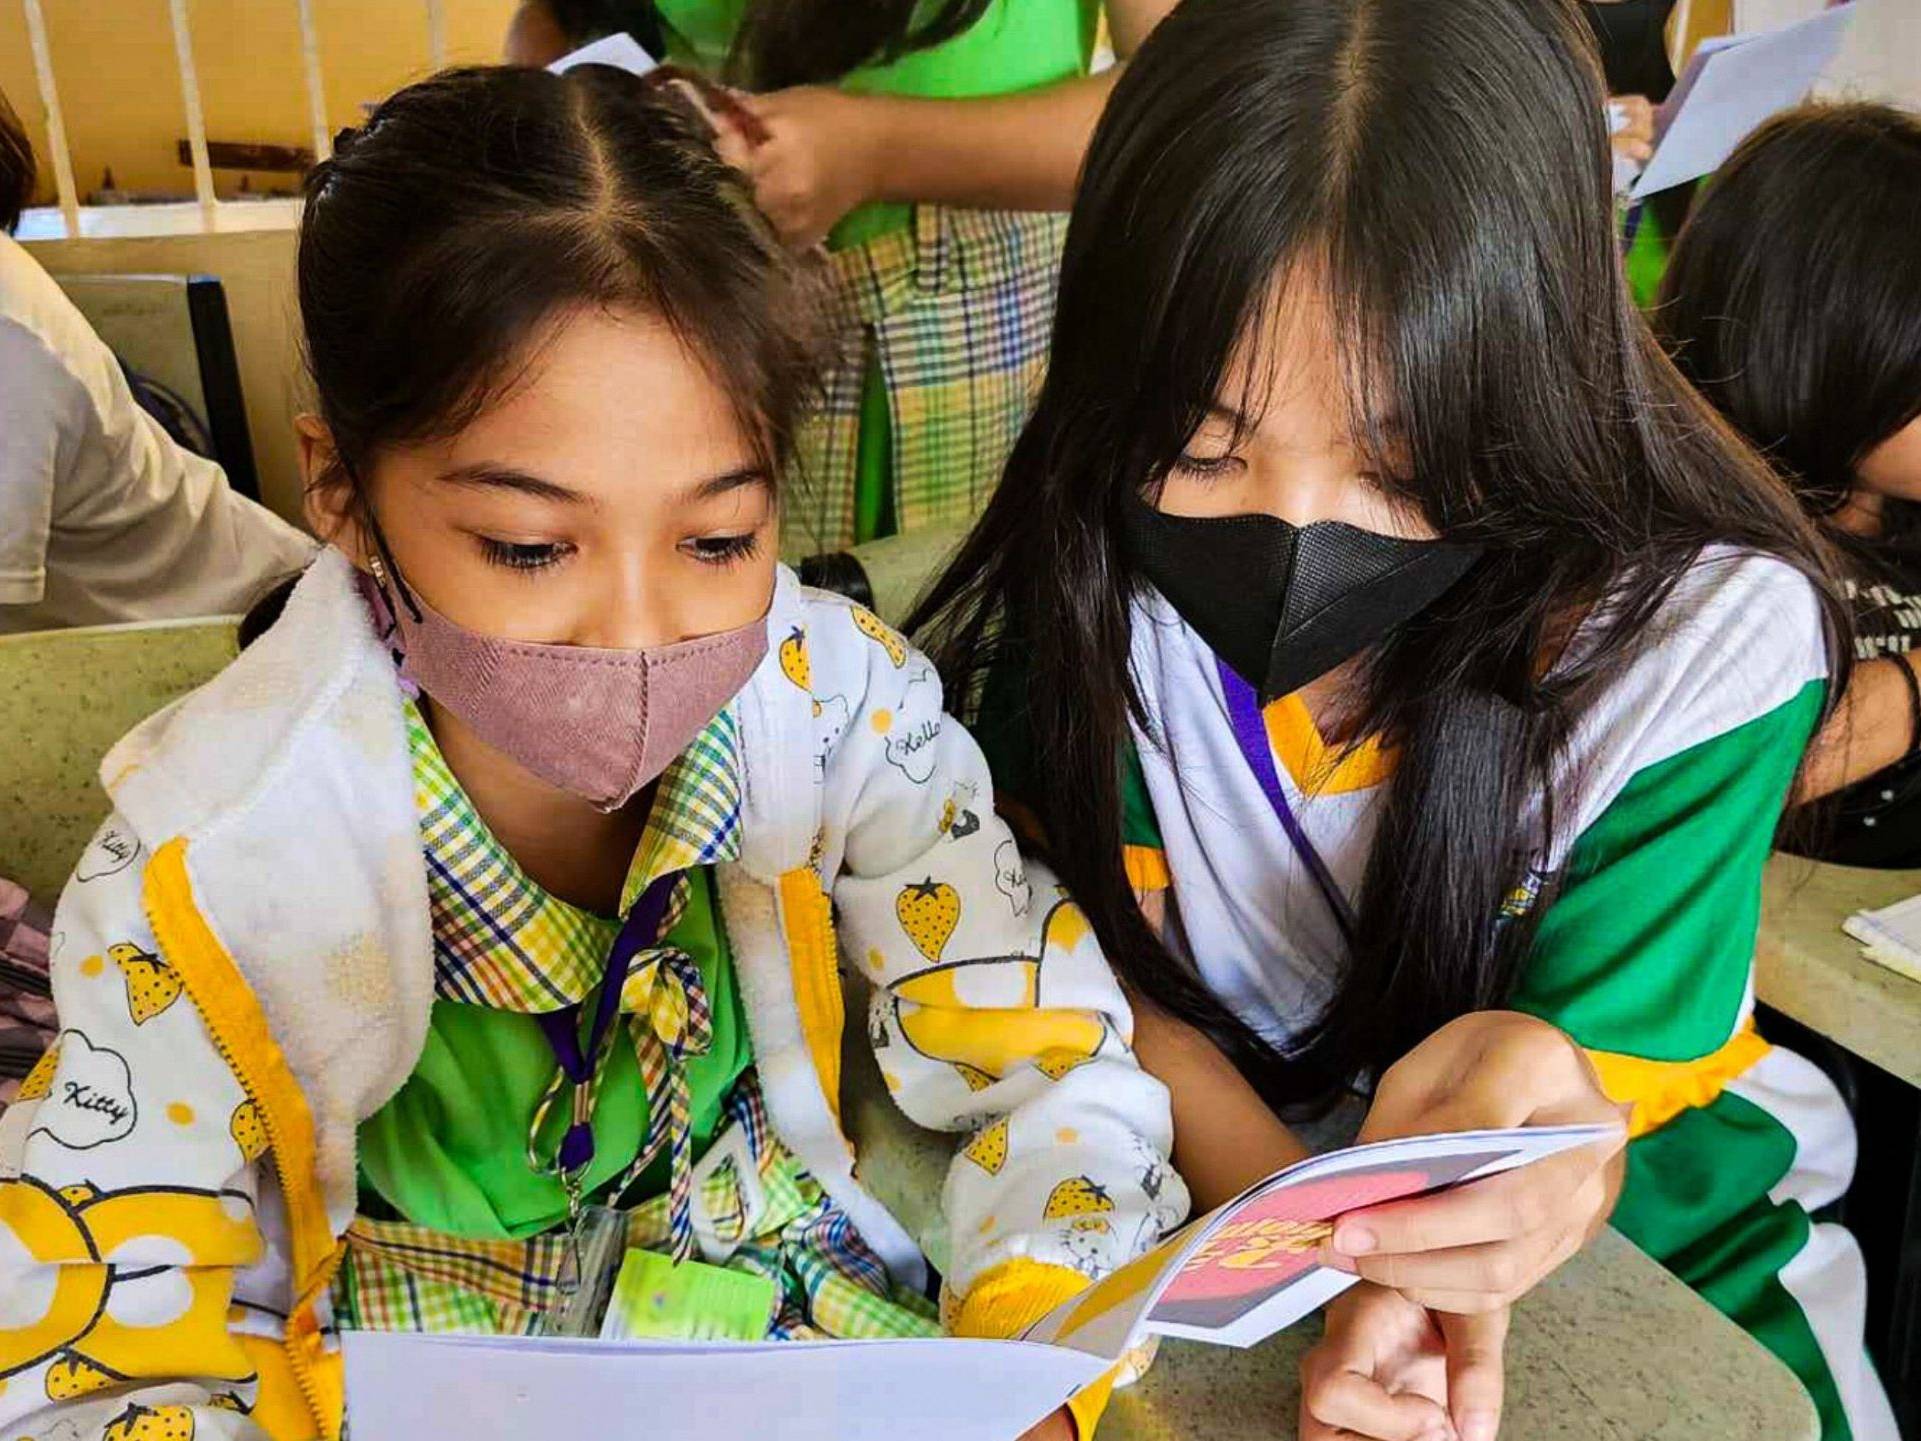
1666 814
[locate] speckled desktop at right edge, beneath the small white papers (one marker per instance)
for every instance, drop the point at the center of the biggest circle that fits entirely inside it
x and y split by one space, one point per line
1807 967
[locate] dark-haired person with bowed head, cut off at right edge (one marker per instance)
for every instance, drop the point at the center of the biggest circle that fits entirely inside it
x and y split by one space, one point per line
1795 305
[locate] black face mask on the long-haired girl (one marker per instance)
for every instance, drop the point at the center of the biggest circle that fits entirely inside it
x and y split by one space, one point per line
1280 602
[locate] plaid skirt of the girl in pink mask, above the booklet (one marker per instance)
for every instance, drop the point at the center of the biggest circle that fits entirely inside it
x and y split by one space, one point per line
827 1281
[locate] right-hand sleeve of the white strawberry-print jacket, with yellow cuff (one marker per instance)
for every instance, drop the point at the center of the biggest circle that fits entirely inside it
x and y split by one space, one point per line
994 1010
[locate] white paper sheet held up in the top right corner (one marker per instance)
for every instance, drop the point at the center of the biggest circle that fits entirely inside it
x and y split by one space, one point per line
1730 87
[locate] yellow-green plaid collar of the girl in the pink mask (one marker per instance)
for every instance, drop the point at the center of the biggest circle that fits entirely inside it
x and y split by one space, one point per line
500 939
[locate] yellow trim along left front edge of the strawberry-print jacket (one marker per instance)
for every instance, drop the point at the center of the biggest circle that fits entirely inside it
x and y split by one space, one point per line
241 1033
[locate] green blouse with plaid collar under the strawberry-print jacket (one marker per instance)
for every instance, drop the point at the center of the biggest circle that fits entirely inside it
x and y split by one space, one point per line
450 1152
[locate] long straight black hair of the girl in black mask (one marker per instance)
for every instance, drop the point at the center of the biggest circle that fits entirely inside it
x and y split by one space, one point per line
1442 172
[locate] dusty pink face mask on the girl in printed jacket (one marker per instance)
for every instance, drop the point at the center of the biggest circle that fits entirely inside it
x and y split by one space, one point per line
596 723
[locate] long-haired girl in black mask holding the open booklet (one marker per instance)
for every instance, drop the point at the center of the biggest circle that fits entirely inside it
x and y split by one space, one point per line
1403 658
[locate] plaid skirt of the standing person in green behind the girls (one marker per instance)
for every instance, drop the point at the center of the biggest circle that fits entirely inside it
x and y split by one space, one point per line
958 310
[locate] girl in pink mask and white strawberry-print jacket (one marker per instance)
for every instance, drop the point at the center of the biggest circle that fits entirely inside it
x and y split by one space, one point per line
497 892
